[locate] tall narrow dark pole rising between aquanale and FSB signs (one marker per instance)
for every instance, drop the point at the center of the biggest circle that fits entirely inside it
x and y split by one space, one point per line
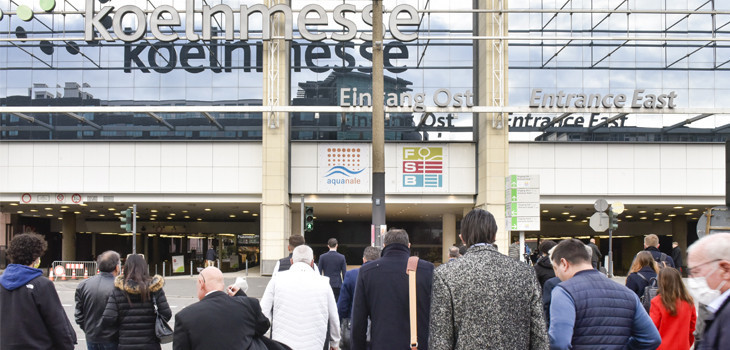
378 123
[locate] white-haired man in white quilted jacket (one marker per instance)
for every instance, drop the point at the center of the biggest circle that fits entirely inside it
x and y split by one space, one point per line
299 303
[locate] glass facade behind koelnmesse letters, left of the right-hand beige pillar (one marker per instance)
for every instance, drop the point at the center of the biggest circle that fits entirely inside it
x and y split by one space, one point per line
46 61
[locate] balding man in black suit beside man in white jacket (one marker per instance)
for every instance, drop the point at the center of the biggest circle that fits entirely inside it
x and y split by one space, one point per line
218 321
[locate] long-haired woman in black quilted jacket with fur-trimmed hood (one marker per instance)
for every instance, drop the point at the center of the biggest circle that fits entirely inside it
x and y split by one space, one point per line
130 306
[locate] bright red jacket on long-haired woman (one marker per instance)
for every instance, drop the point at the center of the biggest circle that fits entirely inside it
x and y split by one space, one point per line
676 331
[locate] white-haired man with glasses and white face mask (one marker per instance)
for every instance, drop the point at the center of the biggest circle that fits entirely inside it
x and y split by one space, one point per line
708 265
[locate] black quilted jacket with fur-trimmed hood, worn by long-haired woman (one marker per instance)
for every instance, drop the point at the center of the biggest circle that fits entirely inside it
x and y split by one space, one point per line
136 320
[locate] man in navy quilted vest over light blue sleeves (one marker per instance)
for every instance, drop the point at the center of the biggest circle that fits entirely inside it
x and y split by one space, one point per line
588 309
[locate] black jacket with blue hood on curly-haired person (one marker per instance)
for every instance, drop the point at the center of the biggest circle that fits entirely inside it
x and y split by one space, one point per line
31 314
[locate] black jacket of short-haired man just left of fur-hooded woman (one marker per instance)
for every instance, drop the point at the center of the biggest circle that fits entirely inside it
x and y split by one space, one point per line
91 298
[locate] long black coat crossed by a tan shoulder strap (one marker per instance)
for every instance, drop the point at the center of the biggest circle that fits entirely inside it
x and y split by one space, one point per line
381 293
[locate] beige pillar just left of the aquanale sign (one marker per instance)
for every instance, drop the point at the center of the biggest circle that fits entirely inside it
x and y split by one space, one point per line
275 212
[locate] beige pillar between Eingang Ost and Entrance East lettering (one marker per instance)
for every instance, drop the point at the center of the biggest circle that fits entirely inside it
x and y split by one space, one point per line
492 143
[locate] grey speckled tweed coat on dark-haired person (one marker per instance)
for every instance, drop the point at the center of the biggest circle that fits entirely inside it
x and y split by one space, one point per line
486 300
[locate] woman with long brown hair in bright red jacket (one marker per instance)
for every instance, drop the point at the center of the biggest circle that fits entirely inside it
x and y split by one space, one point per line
673 312
